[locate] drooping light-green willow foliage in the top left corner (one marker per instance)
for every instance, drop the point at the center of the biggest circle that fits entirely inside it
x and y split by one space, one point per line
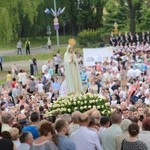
15 12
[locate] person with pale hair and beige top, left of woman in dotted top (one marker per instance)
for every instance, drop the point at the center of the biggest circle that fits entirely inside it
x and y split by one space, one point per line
124 135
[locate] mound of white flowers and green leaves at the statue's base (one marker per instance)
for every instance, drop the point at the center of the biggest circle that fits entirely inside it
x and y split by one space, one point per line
81 103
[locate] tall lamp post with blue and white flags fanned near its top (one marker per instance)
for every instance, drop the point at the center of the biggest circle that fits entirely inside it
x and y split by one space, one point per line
55 13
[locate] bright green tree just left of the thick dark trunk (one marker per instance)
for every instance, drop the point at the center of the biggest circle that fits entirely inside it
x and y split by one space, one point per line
116 11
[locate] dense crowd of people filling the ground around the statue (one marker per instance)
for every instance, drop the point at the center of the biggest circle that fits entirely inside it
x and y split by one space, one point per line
124 81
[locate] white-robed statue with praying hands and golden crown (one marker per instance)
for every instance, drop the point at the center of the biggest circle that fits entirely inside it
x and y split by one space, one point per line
72 74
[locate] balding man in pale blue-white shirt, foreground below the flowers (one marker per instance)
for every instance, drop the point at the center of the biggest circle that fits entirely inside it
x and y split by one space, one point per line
84 138
